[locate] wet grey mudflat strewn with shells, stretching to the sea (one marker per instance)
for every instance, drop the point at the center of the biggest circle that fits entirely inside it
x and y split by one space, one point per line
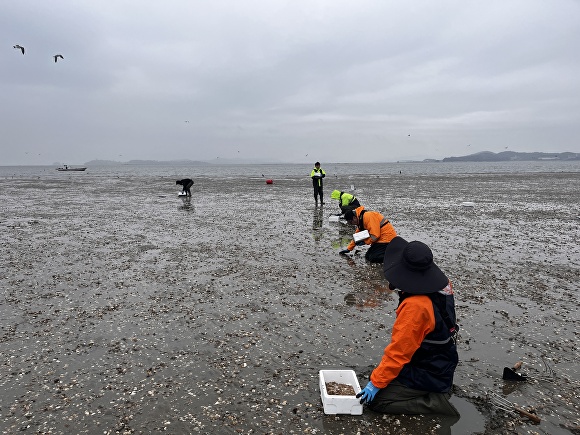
125 309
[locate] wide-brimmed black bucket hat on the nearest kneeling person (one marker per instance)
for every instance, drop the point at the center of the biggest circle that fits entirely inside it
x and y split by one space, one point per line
409 267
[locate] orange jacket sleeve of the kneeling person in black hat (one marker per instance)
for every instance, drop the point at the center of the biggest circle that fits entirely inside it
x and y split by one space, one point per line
415 319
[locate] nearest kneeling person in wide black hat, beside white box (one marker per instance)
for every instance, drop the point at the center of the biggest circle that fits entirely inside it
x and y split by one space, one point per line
415 375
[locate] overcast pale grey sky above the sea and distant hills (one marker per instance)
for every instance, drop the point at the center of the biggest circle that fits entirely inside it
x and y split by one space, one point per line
290 81
